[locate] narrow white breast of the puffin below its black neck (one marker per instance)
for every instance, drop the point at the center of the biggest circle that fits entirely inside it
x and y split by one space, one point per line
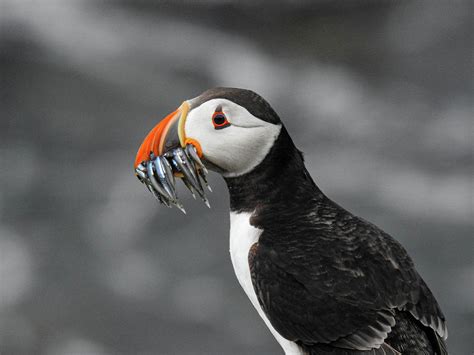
242 237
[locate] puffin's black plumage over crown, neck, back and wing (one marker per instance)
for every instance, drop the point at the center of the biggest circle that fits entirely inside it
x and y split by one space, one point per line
326 279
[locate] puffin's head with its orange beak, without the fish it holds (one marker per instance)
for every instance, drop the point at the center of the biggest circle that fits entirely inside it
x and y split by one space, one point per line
231 129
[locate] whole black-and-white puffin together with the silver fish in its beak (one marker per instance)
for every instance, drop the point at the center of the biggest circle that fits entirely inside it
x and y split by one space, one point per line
323 280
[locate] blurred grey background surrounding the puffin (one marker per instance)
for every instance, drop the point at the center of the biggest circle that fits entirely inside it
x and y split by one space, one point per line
378 94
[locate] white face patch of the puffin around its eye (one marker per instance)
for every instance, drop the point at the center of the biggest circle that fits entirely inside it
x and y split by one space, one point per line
236 149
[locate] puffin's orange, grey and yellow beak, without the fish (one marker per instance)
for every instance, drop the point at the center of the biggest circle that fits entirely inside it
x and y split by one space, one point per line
166 135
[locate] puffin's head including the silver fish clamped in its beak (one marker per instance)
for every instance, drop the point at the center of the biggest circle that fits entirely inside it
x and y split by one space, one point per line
227 130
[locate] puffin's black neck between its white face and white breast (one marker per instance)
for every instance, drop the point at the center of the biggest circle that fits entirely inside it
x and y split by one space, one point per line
279 184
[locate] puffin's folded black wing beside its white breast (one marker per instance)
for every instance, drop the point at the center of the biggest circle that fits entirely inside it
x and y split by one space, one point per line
342 291
